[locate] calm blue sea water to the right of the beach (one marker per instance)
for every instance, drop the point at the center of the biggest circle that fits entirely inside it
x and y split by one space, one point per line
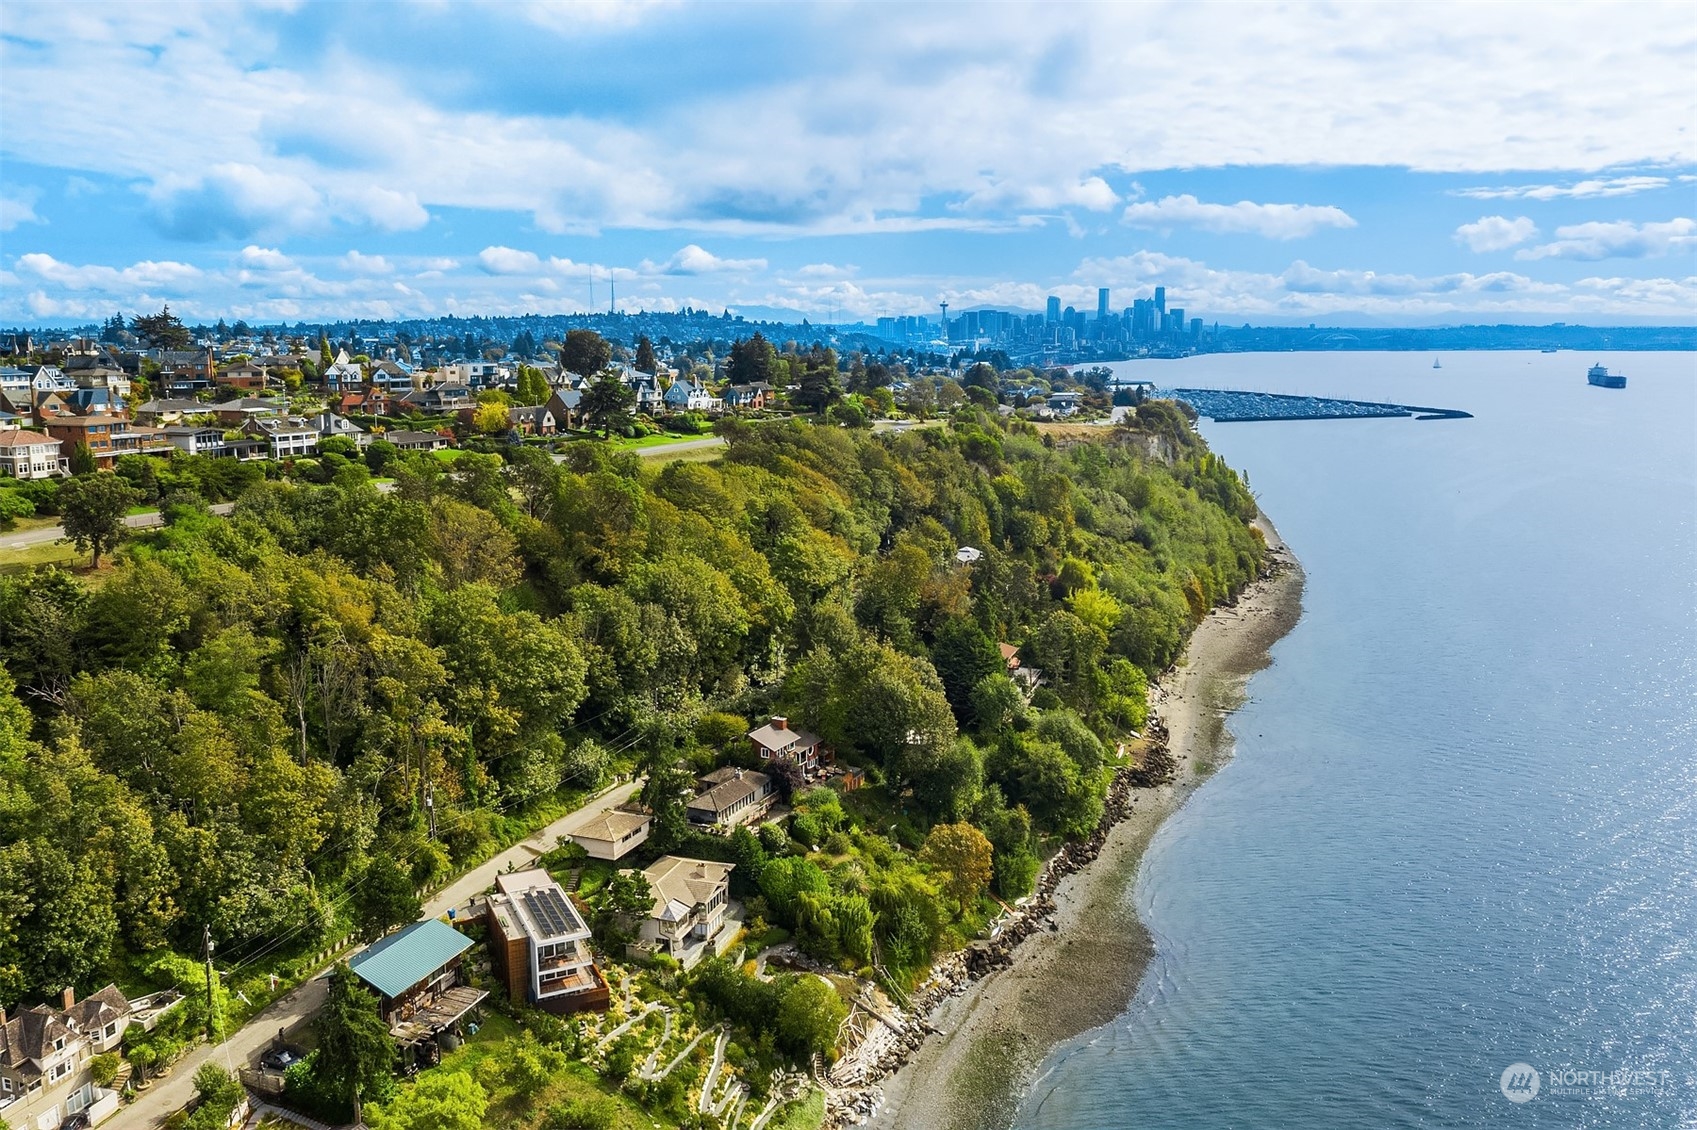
1460 827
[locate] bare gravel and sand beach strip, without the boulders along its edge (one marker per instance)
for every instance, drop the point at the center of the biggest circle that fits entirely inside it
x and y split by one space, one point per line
1084 971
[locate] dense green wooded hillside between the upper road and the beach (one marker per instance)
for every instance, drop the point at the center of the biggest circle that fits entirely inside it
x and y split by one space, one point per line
269 724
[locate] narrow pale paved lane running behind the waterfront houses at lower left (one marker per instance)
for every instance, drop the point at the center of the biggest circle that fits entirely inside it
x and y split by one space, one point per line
177 1090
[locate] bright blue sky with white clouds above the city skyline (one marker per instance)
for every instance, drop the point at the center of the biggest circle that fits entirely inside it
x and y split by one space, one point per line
1267 164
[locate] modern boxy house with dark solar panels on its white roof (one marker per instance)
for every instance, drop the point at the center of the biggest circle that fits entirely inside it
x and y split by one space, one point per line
539 946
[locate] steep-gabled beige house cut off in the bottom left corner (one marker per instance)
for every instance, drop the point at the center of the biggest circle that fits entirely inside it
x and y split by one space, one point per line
45 1054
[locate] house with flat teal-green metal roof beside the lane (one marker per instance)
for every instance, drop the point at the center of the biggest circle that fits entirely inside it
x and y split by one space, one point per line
417 978
